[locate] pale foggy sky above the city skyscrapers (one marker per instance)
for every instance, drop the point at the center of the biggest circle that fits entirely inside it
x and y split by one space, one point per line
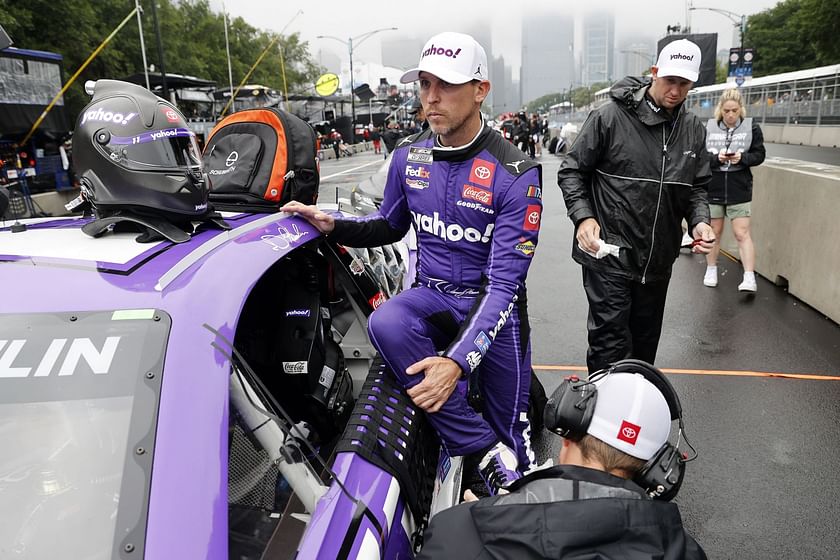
423 18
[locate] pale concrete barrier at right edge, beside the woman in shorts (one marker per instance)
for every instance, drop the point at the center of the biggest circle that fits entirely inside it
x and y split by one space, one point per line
796 230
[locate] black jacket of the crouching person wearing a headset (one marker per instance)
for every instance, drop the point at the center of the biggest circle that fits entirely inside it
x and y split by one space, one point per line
566 512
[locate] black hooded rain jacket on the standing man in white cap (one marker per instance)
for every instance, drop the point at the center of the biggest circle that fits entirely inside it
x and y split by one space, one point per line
638 172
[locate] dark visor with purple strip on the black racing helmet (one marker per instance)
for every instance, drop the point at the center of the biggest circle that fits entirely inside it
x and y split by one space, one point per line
169 148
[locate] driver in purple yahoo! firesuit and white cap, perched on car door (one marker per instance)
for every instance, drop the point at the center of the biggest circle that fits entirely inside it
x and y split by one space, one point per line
475 202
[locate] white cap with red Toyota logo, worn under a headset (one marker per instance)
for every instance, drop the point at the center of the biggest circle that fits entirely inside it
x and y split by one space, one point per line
630 415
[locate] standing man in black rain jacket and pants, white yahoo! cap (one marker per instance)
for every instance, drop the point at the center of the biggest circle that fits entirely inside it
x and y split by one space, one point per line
637 168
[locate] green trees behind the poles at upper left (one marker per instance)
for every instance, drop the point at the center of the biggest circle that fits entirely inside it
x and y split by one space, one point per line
191 32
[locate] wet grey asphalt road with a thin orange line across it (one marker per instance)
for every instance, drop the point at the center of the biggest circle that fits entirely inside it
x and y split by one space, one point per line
765 484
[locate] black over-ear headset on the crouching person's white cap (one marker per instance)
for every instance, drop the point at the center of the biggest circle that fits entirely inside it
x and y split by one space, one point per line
569 411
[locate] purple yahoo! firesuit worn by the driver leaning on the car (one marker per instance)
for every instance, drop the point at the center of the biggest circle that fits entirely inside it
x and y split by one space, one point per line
476 210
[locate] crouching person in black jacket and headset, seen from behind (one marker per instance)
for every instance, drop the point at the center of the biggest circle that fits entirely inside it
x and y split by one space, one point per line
608 495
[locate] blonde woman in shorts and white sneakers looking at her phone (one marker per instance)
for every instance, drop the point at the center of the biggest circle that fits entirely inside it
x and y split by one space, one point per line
735 143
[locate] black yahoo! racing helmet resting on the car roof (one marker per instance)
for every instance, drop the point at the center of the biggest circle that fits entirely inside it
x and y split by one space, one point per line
134 153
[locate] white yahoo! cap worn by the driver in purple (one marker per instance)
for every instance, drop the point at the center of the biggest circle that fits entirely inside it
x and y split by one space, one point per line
453 57
